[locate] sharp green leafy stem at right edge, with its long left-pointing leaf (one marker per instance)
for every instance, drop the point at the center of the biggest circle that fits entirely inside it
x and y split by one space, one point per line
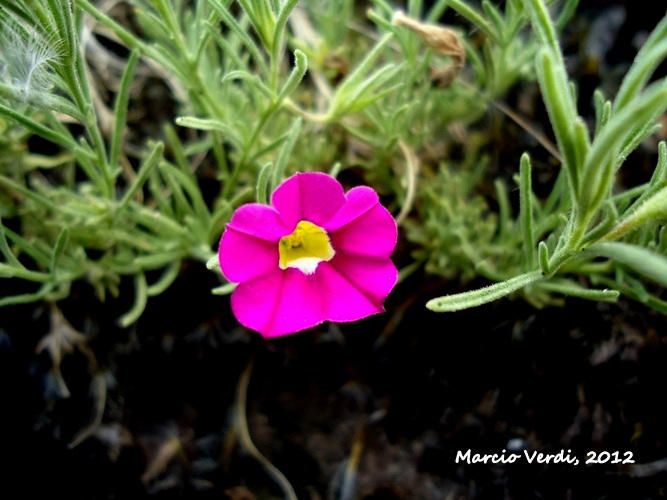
593 213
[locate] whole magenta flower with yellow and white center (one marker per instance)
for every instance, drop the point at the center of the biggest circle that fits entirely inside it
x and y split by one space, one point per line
317 254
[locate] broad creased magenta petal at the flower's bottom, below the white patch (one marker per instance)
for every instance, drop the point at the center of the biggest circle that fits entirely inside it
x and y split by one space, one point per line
279 303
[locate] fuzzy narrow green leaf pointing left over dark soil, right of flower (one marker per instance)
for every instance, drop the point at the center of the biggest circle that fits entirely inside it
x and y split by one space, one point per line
466 300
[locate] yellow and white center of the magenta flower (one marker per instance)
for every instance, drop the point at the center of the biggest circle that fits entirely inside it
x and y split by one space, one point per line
305 248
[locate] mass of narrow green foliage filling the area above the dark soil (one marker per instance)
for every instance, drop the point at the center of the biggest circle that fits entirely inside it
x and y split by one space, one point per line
261 89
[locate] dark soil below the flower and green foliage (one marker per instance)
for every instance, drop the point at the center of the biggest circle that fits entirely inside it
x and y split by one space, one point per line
584 379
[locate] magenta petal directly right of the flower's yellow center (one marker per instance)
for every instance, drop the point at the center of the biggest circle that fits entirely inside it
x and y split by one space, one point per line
373 234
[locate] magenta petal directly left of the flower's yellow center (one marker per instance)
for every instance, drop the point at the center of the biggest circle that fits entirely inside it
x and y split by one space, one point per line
244 257
